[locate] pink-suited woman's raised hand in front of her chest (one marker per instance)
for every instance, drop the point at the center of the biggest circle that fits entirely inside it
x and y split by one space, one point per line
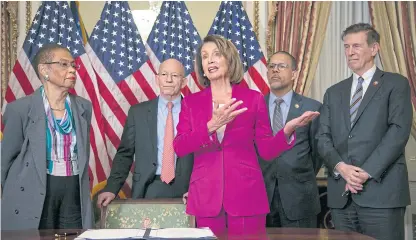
225 114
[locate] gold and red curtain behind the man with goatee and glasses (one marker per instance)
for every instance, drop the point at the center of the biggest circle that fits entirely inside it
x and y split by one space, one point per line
299 28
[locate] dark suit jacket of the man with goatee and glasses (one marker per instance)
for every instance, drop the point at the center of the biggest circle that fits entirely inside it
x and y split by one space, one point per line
296 168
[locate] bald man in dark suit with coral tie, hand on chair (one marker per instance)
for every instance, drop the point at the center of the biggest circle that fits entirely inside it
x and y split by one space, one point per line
148 138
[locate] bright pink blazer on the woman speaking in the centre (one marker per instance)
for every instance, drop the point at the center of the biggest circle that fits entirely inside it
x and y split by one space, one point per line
227 174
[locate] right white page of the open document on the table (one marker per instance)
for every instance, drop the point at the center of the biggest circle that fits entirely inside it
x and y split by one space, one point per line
182 233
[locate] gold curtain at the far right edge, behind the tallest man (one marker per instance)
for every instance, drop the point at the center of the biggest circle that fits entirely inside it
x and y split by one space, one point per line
396 23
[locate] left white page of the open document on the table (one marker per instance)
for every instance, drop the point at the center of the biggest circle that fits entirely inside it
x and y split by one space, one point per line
112 234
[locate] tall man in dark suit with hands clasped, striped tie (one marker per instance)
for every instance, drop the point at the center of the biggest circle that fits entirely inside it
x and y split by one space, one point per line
365 123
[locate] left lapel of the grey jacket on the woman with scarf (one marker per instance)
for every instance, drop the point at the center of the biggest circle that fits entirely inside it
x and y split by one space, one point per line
37 134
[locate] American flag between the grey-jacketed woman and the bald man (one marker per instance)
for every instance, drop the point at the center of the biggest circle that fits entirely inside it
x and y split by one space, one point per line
124 74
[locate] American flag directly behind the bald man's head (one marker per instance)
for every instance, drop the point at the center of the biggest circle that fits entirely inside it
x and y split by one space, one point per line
174 36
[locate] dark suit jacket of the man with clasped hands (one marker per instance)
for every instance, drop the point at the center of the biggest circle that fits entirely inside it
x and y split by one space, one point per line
375 142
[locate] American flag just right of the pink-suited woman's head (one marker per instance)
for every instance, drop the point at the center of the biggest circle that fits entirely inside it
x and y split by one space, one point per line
233 23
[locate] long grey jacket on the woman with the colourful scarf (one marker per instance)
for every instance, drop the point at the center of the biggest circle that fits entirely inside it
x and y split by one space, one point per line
23 161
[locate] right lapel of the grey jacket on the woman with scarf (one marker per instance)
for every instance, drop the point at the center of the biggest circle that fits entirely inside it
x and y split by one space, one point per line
81 128
